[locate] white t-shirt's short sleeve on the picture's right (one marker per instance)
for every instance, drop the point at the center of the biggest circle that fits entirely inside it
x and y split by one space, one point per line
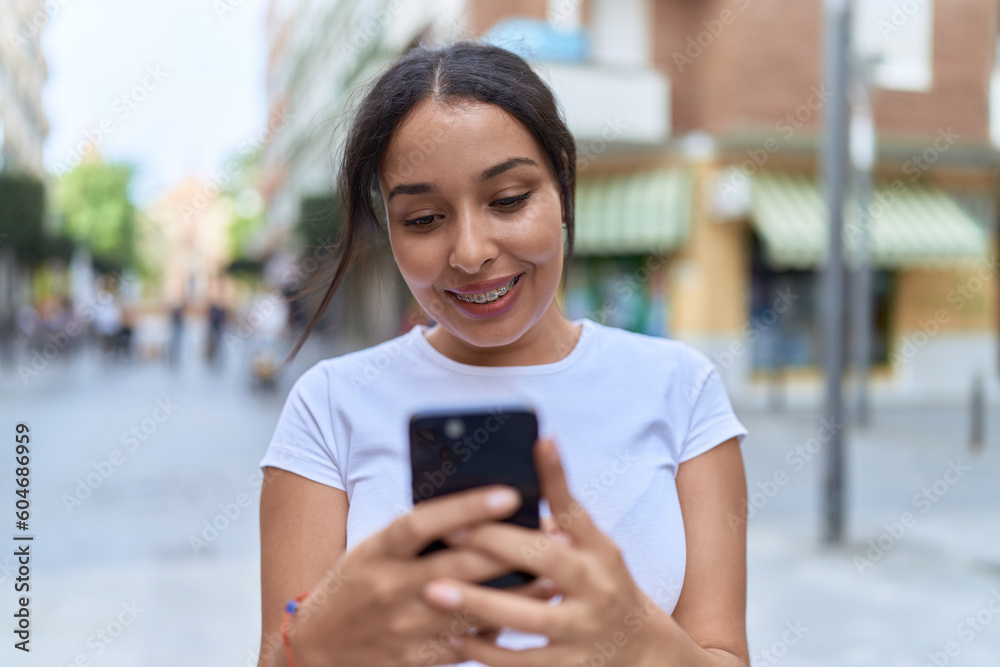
712 420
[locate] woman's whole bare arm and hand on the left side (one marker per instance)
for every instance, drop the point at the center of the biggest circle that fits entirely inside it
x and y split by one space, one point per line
365 606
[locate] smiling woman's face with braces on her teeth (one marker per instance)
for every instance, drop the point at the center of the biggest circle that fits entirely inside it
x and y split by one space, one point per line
473 206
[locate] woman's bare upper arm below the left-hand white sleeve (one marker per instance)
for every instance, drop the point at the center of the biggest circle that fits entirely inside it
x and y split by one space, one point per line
303 532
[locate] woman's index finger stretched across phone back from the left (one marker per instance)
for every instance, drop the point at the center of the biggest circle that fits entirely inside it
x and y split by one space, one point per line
434 518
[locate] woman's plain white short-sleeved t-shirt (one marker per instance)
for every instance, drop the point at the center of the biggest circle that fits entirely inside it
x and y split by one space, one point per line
625 410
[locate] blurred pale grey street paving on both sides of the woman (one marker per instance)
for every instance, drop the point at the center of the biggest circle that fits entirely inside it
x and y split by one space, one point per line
119 579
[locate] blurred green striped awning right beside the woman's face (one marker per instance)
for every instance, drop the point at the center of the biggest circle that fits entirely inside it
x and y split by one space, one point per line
637 213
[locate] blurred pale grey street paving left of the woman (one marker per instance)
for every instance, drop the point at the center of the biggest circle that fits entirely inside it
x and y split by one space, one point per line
115 576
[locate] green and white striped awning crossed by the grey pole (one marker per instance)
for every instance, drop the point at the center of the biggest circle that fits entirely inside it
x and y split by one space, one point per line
912 224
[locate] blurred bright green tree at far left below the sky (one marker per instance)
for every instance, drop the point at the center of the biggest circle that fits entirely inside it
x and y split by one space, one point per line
94 207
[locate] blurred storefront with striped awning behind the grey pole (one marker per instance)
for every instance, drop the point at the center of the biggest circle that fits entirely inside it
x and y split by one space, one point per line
916 233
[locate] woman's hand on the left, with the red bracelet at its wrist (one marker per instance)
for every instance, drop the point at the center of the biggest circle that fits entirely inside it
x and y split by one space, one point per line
369 611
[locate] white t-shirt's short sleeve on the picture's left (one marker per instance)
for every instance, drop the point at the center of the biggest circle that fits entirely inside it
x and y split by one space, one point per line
302 441
